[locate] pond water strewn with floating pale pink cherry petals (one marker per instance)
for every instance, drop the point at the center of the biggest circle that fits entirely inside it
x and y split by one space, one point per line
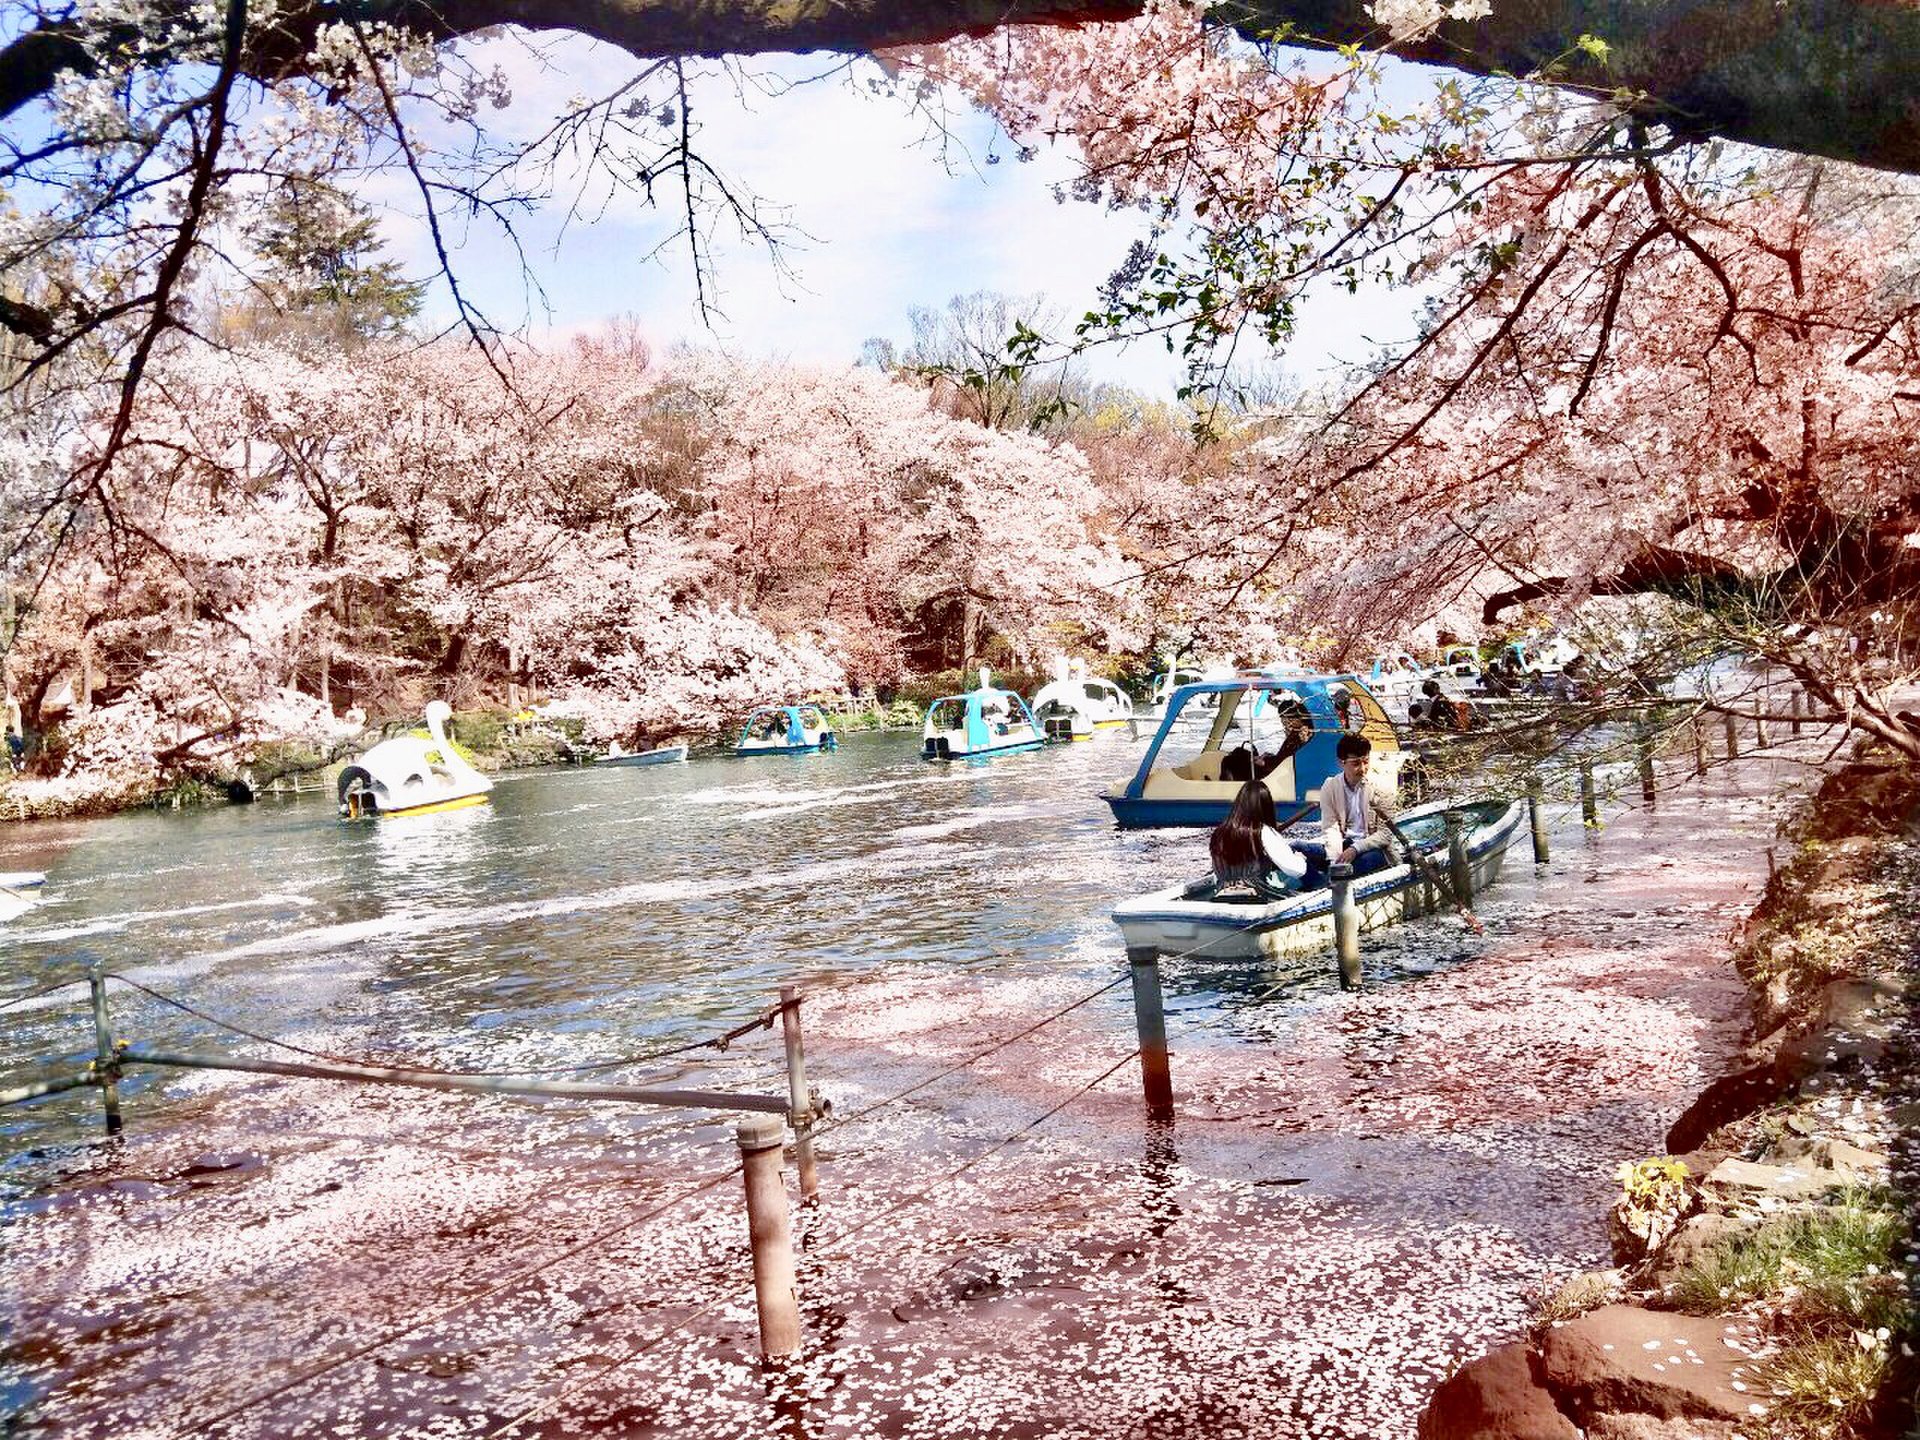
1355 1197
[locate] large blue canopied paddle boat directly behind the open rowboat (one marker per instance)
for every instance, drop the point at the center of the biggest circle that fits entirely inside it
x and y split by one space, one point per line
1186 780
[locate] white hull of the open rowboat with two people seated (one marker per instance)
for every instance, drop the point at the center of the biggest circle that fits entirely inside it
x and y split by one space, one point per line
1172 924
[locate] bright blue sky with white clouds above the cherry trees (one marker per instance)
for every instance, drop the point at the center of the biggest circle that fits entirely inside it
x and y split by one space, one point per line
894 222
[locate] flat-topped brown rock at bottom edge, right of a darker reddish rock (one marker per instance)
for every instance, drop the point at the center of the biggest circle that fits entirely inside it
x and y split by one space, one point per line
1629 1360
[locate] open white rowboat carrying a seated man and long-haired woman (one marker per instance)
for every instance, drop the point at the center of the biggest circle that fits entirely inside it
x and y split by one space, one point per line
1237 923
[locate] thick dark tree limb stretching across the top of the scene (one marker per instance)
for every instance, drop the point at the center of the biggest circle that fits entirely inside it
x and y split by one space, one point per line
1827 78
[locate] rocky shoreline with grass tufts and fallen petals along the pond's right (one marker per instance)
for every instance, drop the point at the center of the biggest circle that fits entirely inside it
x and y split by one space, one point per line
1762 1268
